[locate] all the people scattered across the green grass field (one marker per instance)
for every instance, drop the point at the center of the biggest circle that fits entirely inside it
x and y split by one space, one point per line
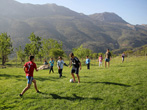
74 62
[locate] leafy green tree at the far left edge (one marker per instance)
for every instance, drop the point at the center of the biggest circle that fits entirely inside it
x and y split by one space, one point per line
5 47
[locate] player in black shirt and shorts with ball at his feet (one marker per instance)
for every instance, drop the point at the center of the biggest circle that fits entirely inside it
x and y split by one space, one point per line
75 68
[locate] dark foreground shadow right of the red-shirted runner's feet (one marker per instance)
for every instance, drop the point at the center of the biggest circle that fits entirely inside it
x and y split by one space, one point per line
55 96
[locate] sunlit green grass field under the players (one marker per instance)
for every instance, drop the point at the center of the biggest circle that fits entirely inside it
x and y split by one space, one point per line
123 86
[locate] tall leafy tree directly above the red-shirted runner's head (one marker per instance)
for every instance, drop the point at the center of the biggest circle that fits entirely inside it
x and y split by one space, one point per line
35 45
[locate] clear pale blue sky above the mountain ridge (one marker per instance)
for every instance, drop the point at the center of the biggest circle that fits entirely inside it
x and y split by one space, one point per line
132 11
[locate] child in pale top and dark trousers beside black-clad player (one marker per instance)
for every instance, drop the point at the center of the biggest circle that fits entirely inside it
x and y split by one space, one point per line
60 64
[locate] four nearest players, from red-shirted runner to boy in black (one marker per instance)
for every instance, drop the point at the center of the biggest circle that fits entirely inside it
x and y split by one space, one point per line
30 66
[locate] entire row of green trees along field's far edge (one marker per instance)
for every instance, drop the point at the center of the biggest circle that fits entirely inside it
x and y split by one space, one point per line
41 48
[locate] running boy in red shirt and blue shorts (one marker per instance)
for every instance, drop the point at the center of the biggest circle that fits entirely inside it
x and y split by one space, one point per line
29 70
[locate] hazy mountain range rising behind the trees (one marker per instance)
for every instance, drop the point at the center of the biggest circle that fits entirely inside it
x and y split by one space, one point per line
97 32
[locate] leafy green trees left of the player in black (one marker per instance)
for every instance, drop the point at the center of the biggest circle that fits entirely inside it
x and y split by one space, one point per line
41 48
